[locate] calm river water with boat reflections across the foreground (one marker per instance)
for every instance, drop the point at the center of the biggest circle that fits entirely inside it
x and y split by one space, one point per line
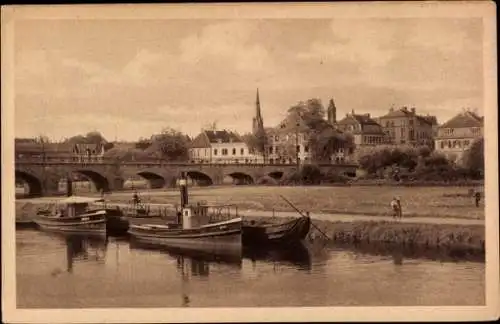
76 272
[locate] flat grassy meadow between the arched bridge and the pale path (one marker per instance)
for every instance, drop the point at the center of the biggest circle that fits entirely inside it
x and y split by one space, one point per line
416 201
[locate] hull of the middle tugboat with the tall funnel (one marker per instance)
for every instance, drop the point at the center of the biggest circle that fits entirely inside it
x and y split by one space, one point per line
224 237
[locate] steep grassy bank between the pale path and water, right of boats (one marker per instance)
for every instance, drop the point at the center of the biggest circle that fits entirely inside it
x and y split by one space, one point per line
449 241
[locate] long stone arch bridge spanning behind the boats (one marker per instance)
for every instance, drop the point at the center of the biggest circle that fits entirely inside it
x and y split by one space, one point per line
43 177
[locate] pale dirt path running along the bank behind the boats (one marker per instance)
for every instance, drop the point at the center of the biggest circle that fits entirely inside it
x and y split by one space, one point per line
314 215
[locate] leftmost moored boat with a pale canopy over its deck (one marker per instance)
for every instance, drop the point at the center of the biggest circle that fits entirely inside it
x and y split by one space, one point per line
75 217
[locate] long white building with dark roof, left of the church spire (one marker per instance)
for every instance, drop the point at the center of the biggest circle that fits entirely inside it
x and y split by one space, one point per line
220 147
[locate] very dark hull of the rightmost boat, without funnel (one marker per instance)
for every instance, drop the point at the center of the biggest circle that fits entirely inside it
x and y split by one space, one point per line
289 233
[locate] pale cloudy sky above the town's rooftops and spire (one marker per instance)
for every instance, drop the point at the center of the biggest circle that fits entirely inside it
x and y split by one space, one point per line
132 78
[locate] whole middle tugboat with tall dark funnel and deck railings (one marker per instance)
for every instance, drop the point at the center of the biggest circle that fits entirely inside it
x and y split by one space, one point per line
198 227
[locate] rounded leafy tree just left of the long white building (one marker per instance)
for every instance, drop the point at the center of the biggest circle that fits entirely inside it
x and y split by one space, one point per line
170 145
